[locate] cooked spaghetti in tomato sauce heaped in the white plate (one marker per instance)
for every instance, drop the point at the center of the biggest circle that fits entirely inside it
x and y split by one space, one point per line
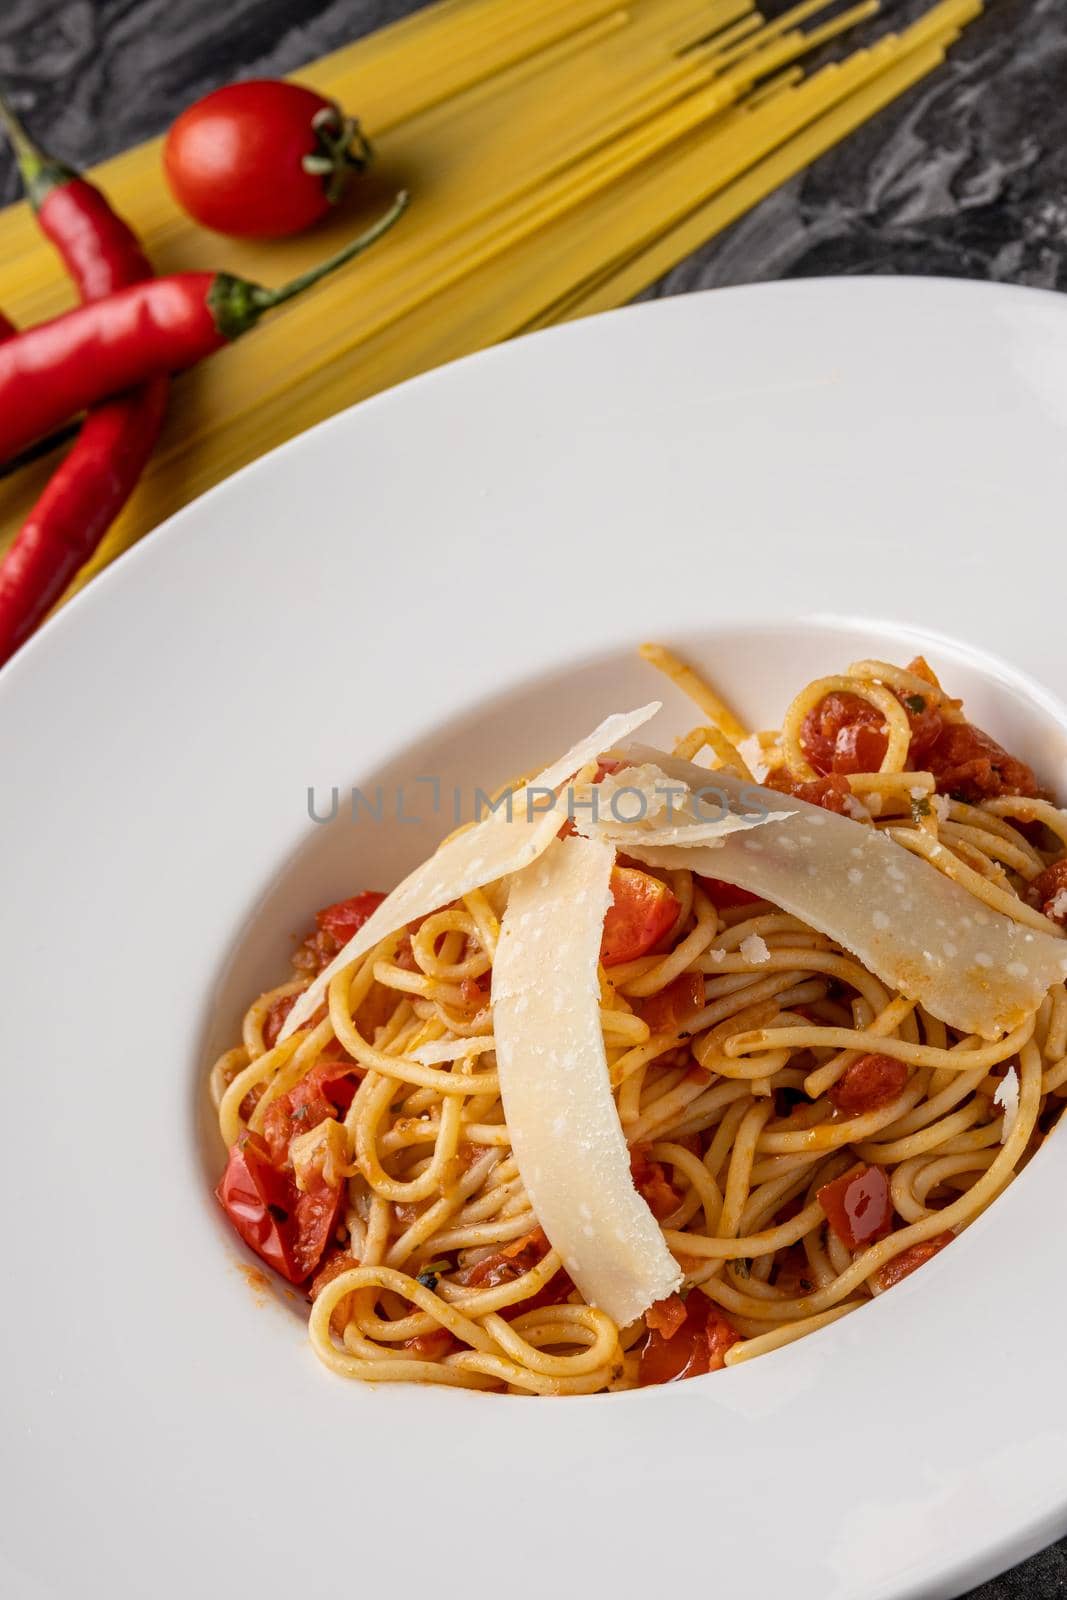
804 1132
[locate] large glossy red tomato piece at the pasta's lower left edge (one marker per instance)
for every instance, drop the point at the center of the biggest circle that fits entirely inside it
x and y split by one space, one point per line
286 1228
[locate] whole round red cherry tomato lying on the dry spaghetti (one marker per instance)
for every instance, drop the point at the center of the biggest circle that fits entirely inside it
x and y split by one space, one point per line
262 159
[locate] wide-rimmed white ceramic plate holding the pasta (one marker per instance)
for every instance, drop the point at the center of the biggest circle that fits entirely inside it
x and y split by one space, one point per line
450 580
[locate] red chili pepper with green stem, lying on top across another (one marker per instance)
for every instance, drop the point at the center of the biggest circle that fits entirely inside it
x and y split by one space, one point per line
62 367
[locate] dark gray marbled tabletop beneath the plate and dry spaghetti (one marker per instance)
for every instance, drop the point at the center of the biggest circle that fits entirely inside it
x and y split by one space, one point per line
965 177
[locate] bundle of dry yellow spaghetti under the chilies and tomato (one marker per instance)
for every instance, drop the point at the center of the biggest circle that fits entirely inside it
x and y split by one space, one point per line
562 156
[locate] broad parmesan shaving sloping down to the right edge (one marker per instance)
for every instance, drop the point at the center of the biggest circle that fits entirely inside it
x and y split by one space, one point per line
909 924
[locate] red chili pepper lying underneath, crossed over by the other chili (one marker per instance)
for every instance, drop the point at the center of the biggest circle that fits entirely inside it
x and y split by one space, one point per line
89 489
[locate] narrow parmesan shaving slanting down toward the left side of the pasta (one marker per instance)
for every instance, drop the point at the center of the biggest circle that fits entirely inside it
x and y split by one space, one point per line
500 844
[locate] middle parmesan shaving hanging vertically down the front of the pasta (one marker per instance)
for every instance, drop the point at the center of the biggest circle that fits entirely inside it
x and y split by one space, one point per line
554 1081
